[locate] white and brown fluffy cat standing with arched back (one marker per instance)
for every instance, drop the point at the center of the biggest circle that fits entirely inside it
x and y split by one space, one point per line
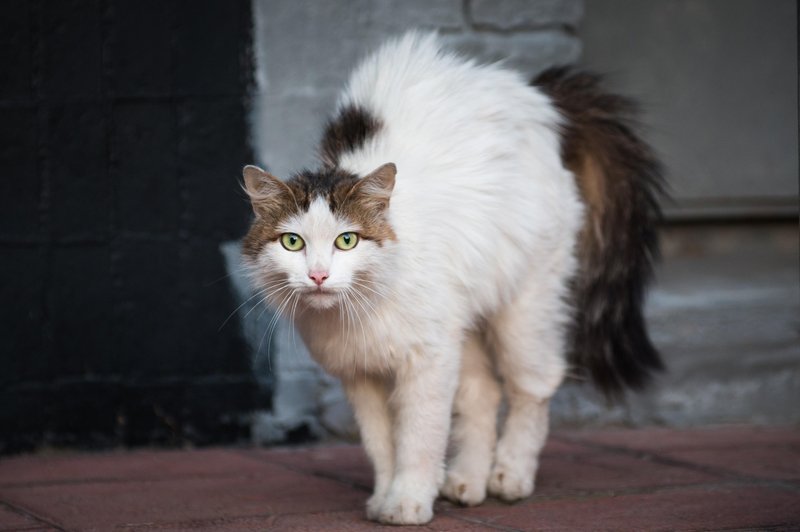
468 236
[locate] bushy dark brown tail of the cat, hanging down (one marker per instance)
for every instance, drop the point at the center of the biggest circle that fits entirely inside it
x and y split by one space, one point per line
620 181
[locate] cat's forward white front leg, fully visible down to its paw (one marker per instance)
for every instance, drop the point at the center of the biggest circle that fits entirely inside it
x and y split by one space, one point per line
422 401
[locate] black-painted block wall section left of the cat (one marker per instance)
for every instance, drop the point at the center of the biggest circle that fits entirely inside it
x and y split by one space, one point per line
122 136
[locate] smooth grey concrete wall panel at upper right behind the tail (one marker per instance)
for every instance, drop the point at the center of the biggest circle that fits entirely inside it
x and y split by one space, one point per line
718 83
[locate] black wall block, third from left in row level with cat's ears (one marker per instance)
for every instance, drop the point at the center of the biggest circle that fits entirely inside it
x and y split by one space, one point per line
144 168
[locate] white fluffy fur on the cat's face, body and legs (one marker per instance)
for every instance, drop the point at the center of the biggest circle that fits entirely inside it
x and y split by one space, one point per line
473 288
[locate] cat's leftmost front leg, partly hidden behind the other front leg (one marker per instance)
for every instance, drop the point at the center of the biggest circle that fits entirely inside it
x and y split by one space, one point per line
370 400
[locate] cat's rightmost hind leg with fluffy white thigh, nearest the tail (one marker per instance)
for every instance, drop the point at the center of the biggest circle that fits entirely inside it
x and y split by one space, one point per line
528 340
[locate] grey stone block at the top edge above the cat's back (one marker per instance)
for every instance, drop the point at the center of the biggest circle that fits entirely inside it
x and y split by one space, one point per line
524 14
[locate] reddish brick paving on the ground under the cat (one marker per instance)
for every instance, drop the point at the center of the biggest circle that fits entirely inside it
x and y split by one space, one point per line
653 479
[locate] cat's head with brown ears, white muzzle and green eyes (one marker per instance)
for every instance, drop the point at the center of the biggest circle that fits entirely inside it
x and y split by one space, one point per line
321 237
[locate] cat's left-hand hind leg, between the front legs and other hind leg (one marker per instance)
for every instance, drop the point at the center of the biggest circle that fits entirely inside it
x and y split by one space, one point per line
474 426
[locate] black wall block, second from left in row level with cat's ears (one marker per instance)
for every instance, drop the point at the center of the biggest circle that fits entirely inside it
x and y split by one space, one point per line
80 188
